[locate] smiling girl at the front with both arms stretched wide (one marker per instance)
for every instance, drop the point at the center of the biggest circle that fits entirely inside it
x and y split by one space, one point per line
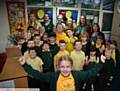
65 79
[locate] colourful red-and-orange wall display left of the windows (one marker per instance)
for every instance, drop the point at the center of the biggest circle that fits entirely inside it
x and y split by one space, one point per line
16 17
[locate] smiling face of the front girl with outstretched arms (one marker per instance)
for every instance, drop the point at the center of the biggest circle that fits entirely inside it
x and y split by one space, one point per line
65 68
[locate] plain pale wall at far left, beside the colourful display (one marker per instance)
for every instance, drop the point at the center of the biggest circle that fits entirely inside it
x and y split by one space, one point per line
4 26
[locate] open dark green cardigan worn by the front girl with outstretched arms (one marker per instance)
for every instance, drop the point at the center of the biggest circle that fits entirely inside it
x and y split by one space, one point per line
52 77
